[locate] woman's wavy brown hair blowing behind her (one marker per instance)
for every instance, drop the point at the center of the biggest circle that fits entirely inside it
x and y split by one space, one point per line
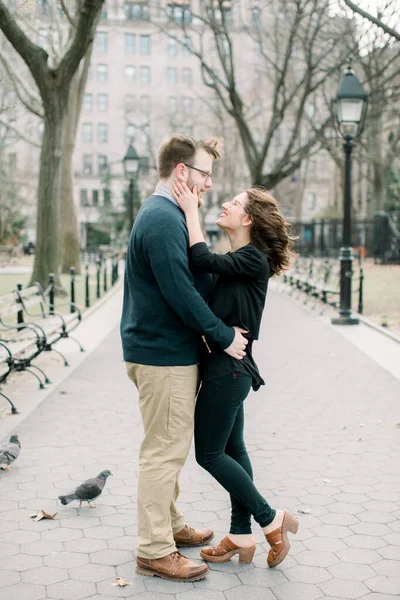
270 232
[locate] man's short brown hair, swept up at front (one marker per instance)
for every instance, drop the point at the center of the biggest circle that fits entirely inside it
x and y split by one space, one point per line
180 147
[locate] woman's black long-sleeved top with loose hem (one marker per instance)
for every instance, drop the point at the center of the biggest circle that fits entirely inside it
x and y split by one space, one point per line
237 298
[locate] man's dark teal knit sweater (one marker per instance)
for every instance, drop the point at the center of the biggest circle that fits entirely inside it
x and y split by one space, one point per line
164 312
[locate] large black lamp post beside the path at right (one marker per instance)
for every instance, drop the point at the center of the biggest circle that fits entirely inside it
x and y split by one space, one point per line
350 106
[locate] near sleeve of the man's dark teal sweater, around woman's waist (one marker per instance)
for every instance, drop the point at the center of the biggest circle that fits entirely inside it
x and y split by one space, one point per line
167 250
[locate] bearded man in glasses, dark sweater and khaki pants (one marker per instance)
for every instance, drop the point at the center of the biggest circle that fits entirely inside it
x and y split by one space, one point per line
164 318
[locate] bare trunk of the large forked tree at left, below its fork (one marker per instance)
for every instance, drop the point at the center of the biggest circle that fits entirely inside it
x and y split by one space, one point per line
48 213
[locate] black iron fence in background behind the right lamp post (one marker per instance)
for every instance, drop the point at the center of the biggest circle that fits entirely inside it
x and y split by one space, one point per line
378 238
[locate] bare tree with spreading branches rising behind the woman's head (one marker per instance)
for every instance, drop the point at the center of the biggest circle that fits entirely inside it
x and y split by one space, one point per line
296 55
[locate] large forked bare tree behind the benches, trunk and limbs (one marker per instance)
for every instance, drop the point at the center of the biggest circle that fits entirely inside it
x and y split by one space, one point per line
54 85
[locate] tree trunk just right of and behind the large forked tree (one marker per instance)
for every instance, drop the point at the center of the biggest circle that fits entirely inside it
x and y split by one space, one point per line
69 237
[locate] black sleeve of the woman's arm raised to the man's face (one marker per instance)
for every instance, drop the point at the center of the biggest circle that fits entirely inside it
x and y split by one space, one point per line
245 262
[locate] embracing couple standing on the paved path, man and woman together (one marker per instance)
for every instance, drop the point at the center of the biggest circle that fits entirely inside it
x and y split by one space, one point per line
190 317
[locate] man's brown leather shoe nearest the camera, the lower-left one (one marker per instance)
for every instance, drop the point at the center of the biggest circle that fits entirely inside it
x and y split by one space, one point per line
173 567
